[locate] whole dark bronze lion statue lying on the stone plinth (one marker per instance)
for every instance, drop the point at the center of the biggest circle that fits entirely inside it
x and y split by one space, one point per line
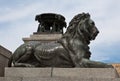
71 50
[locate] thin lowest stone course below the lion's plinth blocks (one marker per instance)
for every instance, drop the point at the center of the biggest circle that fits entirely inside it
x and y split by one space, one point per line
56 79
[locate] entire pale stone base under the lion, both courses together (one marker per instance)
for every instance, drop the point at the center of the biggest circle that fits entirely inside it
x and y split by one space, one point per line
60 74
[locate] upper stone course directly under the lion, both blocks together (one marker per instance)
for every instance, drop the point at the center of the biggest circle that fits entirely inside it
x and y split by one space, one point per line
62 72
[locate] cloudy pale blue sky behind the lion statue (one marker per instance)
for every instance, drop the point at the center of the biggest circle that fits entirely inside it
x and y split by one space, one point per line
17 20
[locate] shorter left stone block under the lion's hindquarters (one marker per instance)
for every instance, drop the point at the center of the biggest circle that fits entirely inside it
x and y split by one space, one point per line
27 72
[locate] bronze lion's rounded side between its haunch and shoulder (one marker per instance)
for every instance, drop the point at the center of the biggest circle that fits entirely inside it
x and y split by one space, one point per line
52 54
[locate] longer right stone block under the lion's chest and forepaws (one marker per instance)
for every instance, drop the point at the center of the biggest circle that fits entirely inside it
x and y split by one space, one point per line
85 72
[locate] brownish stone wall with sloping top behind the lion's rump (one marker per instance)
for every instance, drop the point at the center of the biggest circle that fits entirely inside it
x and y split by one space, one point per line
4 57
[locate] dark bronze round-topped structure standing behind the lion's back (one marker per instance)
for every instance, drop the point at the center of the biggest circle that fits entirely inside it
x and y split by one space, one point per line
50 23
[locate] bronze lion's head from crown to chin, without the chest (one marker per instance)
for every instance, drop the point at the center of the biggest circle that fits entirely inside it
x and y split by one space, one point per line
83 27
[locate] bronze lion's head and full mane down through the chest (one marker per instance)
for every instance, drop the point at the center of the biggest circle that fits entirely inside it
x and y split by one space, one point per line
80 32
